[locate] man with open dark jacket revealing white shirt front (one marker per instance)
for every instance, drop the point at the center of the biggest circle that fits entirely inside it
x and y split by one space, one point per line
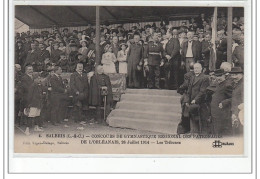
191 51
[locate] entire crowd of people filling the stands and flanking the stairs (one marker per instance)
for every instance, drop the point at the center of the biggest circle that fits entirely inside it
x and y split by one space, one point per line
175 58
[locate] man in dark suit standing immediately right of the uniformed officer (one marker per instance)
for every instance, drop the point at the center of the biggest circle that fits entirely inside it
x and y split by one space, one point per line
172 54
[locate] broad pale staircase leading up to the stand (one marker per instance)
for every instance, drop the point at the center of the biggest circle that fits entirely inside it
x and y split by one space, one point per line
147 109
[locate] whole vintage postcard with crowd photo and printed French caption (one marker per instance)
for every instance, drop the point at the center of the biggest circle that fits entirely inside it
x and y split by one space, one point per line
130 79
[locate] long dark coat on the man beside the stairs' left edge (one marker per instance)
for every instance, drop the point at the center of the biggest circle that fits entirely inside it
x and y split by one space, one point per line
95 97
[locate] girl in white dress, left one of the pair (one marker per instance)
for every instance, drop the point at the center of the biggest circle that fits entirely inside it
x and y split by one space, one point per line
108 60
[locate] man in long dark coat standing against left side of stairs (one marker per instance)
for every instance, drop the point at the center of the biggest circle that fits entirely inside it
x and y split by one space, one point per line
100 83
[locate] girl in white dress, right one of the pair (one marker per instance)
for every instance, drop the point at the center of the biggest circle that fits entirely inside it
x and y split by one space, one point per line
121 57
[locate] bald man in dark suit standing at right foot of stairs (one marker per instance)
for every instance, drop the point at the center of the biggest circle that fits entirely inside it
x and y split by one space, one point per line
196 98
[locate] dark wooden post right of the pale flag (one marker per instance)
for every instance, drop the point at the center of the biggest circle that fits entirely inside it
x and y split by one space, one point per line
229 35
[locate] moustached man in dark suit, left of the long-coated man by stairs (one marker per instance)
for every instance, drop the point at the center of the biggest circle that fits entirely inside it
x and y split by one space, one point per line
79 88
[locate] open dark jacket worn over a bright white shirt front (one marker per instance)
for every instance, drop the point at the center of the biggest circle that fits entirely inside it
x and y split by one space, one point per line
196 50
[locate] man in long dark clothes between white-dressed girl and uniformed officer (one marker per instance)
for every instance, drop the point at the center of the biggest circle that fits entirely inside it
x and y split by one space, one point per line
134 58
